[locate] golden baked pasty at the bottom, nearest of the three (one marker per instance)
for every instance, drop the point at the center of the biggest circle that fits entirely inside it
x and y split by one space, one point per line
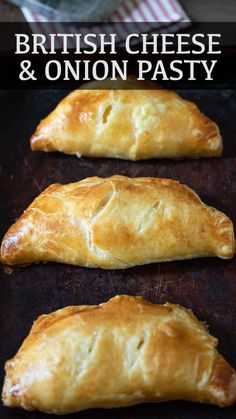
155 353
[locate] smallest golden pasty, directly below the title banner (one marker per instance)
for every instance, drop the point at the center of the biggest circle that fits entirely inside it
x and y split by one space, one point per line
127 124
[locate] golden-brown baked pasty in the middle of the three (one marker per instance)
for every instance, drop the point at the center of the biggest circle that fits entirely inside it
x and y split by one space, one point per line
117 222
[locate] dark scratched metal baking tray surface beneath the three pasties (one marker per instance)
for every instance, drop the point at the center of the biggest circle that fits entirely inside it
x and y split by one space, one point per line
207 286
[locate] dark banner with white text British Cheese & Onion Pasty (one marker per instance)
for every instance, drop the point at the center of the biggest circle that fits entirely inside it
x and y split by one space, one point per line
65 56
